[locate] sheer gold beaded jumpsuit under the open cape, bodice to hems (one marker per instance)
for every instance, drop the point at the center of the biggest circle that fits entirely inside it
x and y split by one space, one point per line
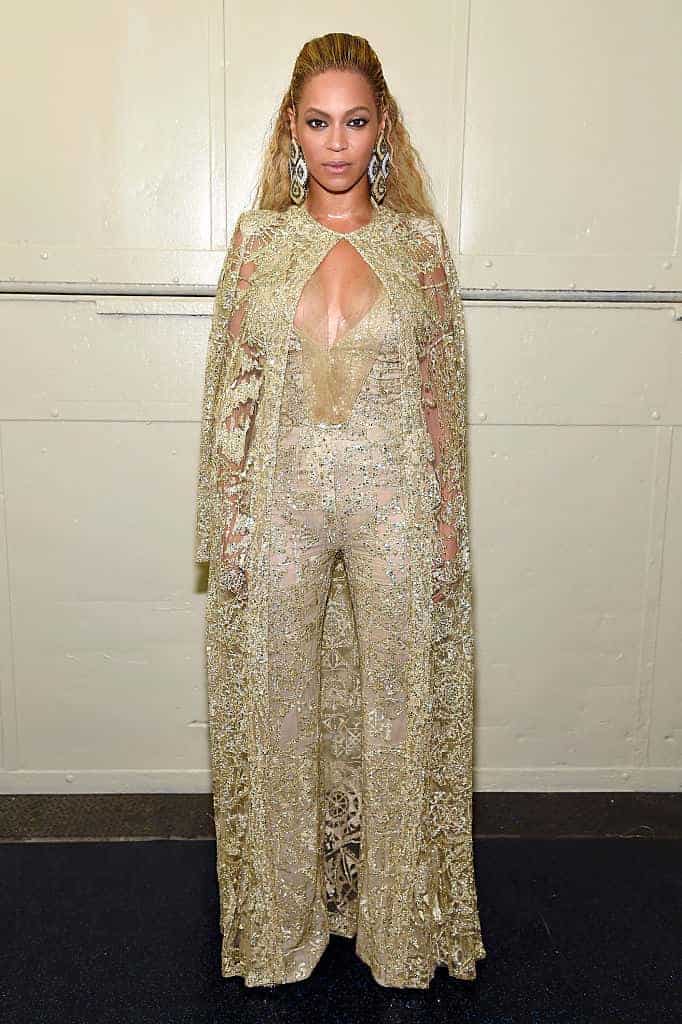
337 493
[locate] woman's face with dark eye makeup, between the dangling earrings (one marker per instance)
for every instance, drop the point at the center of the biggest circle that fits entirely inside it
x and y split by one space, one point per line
336 124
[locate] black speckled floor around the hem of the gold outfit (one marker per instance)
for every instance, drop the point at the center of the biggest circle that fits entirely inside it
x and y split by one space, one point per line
576 931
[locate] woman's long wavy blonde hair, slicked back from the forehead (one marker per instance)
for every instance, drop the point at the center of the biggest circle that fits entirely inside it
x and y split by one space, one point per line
409 188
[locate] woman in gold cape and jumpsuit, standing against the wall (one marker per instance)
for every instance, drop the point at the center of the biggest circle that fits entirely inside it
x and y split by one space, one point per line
332 509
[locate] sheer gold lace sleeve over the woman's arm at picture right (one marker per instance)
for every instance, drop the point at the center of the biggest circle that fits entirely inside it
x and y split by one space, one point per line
443 366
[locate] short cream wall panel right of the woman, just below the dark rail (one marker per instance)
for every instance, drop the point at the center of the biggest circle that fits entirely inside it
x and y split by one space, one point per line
579 363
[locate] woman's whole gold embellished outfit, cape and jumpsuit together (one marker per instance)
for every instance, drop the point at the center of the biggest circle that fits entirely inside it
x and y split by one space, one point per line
331 760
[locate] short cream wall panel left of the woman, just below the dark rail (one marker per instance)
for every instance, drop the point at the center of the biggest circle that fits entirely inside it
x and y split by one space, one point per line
100 359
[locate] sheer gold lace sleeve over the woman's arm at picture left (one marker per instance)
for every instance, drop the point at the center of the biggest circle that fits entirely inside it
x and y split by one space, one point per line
234 370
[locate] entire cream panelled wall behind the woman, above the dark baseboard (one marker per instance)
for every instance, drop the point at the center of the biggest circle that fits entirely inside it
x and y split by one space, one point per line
132 137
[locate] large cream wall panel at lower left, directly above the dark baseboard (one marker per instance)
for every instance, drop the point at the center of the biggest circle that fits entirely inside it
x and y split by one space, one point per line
107 625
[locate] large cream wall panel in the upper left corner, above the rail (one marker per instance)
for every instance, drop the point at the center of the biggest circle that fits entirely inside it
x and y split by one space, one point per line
114 116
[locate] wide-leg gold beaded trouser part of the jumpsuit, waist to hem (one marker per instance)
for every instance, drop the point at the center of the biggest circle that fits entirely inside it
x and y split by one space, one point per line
334 494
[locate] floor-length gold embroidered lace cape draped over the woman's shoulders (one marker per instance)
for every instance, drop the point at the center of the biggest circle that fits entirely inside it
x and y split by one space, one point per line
435 916
